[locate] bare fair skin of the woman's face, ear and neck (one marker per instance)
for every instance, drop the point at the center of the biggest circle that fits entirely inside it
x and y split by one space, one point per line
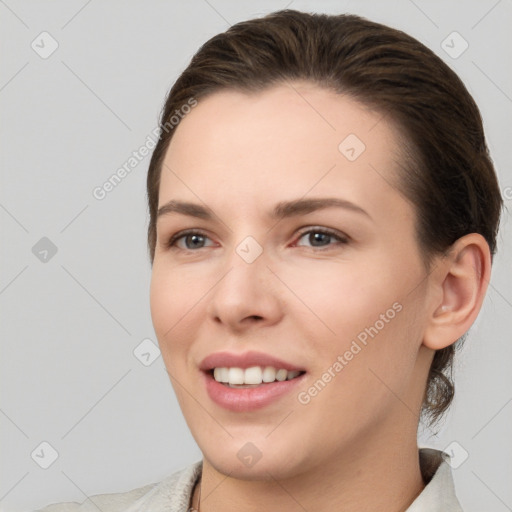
353 446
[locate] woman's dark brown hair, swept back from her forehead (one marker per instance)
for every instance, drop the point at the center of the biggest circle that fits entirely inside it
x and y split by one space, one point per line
446 172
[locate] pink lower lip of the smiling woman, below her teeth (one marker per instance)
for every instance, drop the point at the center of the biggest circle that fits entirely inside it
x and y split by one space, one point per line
248 399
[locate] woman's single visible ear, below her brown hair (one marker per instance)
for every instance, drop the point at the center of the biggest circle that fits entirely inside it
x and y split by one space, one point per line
459 283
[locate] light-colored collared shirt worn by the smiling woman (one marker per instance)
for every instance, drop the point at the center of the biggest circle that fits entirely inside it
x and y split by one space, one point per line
173 494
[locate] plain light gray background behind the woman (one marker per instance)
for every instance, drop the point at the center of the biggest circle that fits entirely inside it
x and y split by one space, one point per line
70 323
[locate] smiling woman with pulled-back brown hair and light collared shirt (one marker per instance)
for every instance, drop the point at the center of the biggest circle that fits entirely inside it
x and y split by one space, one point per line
323 215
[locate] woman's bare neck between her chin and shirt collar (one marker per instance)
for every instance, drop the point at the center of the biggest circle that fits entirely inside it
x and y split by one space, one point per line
381 475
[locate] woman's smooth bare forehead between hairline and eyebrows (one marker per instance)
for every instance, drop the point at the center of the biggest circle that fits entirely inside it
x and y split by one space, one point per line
289 140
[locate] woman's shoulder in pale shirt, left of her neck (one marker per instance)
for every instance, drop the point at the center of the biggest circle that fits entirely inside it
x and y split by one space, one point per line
174 491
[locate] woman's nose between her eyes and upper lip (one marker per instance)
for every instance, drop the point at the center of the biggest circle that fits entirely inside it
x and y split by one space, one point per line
247 295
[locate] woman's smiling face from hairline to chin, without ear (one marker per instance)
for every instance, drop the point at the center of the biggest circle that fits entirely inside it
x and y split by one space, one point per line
304 251
